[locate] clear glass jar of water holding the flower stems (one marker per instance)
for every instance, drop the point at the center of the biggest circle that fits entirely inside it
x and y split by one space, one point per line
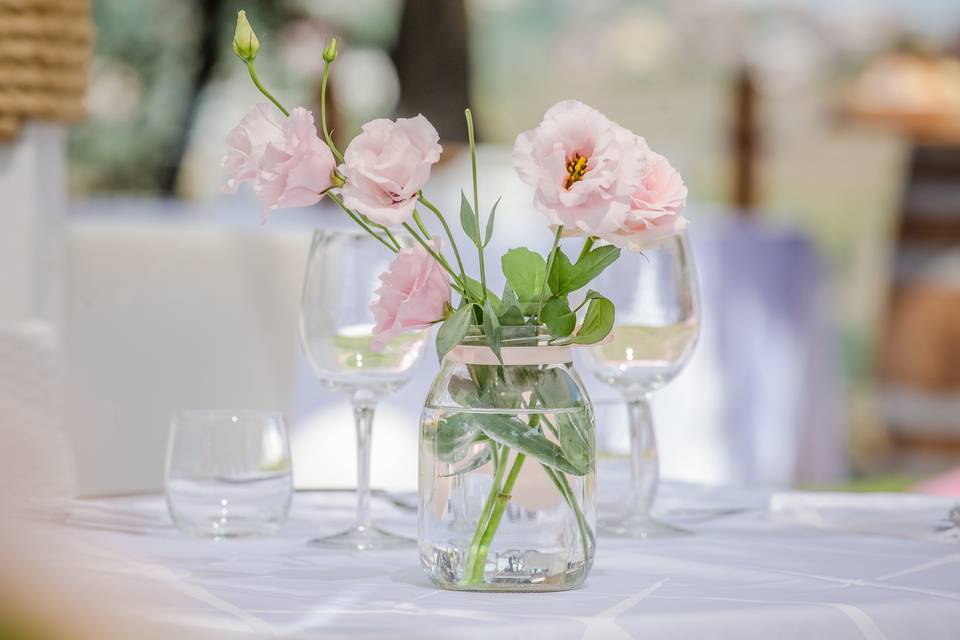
507 470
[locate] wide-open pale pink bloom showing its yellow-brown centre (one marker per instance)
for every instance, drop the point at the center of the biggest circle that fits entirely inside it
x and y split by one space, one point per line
584 167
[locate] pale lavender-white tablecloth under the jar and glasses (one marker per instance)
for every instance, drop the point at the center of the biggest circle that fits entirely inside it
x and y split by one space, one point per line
746 573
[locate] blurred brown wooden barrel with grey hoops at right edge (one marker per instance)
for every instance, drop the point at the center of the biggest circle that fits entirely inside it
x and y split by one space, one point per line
920 350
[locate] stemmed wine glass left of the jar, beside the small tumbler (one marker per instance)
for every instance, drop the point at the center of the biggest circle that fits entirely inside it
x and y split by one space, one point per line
335 333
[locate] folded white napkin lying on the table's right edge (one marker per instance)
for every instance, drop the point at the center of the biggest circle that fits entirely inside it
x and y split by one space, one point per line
892 514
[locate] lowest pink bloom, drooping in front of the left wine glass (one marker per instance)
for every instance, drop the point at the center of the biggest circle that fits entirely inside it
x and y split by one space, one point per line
414 293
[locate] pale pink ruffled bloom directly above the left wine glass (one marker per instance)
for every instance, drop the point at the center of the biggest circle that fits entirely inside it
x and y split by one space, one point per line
386 166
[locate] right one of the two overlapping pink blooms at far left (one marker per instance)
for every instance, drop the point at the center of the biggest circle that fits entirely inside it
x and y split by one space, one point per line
297 170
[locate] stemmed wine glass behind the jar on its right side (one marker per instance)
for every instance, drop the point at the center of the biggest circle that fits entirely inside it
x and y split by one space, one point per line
658 322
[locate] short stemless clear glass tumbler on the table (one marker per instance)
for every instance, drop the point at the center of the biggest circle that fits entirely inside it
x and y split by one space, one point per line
228 473
